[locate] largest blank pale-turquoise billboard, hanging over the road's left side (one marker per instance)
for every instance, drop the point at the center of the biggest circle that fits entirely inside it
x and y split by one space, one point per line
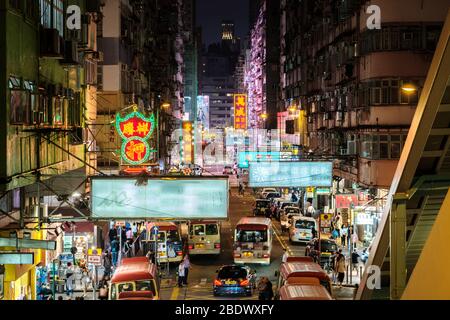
123 198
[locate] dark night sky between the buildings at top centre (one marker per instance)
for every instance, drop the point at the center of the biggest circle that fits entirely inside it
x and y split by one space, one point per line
210 14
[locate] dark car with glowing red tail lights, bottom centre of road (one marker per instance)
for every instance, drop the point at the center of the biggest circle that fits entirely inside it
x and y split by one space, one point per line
234 280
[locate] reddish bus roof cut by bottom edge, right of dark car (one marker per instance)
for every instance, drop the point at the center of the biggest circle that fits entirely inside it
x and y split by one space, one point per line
304 292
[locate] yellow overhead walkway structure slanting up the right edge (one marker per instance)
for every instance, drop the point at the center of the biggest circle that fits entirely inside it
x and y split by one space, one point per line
413 239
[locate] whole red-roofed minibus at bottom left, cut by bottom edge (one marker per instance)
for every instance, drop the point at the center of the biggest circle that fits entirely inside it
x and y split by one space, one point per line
136 279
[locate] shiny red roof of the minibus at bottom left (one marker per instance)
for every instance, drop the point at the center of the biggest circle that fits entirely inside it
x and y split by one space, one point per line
132 269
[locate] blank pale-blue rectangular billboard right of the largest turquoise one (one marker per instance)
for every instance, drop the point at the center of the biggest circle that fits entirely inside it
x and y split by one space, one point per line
290 174
